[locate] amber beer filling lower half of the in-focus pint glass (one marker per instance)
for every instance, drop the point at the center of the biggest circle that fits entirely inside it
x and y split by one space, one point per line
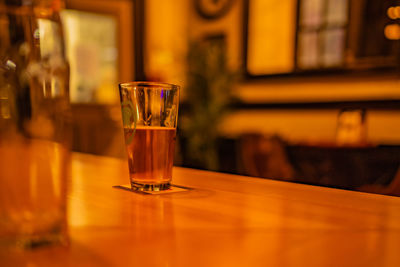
151 155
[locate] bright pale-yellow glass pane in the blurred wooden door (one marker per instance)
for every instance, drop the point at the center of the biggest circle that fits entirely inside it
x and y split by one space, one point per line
91 45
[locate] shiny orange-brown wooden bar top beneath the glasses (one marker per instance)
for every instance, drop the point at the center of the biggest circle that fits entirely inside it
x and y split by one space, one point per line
226 220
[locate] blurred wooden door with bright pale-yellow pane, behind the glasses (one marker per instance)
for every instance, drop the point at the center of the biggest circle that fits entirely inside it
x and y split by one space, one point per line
103 44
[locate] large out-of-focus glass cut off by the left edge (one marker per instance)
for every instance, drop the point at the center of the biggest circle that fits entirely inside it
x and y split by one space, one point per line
34 123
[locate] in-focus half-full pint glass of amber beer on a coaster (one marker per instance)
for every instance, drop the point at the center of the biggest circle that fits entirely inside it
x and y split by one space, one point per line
149 115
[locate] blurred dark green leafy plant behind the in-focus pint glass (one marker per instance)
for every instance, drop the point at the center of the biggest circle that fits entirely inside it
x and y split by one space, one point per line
208 99
